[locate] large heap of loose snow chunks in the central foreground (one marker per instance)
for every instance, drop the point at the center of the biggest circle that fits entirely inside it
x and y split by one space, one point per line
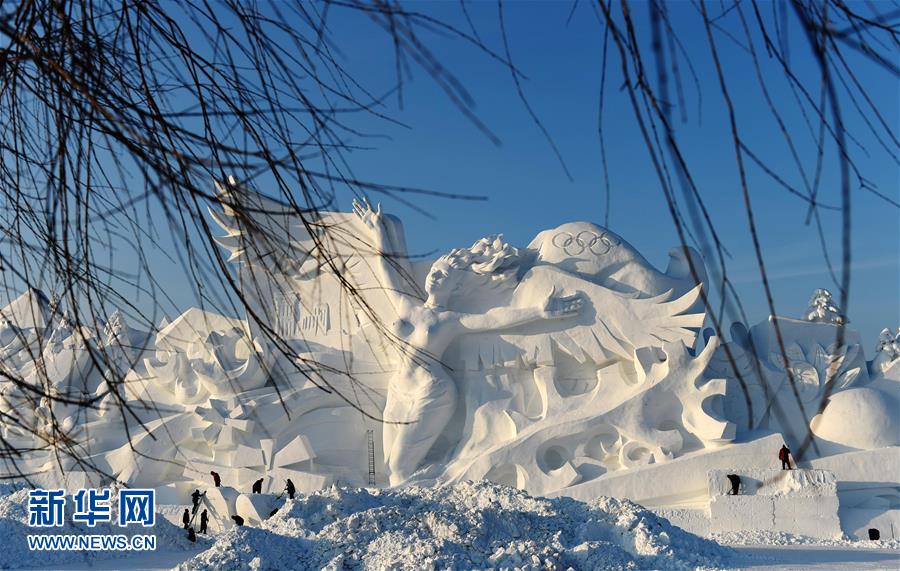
469 525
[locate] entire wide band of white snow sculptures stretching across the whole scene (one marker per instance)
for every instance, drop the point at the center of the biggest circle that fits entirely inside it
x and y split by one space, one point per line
568 366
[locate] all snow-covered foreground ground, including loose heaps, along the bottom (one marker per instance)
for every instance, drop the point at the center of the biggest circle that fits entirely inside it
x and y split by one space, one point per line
465 526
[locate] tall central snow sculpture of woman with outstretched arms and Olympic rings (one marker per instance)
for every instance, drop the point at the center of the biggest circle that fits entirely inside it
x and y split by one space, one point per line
497 342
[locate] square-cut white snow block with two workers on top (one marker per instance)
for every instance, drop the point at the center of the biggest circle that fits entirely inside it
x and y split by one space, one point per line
801 502
